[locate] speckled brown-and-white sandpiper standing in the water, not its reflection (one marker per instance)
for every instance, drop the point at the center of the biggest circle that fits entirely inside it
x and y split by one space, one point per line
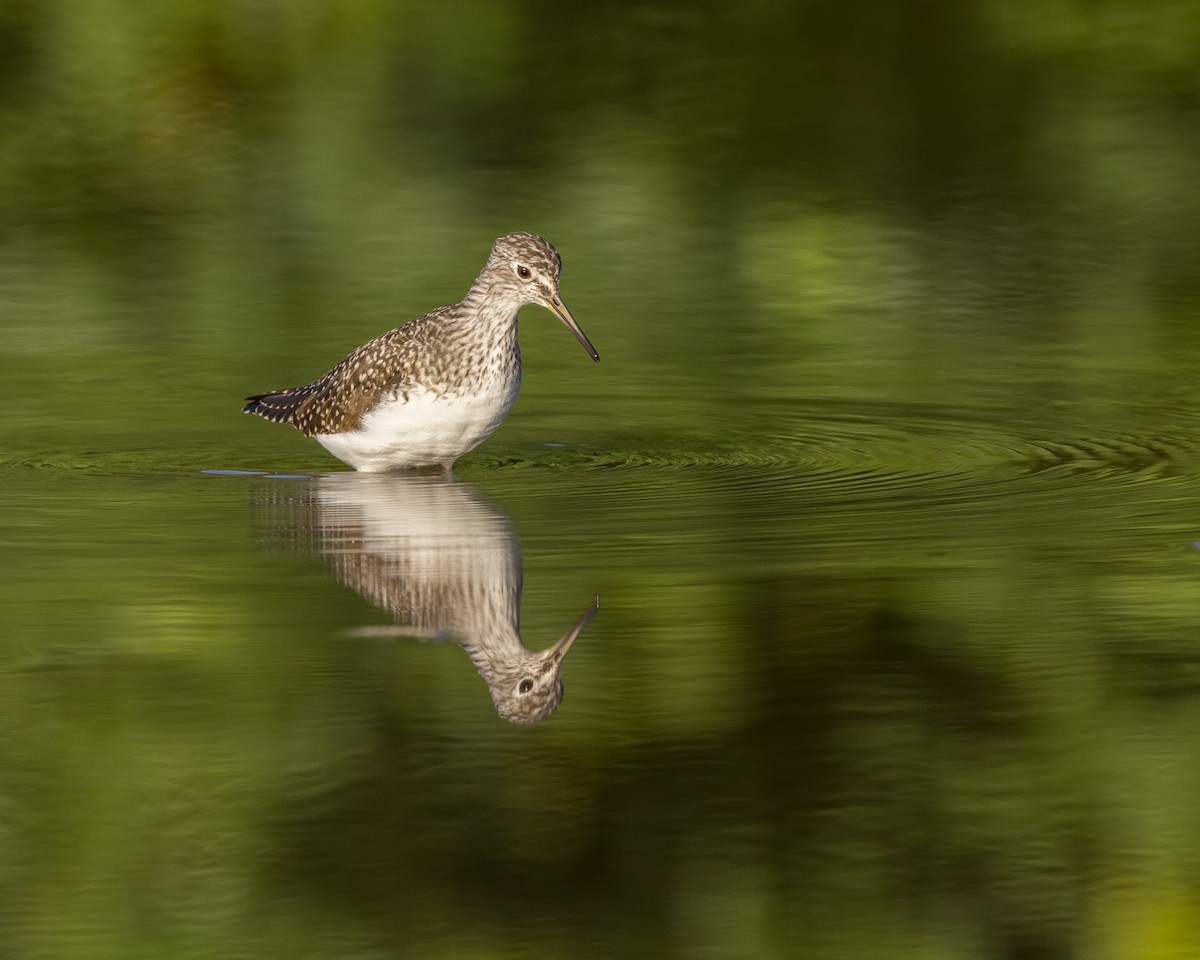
429 392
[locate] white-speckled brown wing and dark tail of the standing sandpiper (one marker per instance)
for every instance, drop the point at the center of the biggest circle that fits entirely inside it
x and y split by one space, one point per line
337 403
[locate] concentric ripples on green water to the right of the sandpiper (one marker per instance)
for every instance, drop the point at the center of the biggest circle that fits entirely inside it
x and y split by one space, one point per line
854 455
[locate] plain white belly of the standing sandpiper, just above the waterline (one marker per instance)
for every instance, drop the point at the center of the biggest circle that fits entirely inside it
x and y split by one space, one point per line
422 431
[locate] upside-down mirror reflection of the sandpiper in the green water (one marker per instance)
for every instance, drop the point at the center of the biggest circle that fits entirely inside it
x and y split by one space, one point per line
447 565
